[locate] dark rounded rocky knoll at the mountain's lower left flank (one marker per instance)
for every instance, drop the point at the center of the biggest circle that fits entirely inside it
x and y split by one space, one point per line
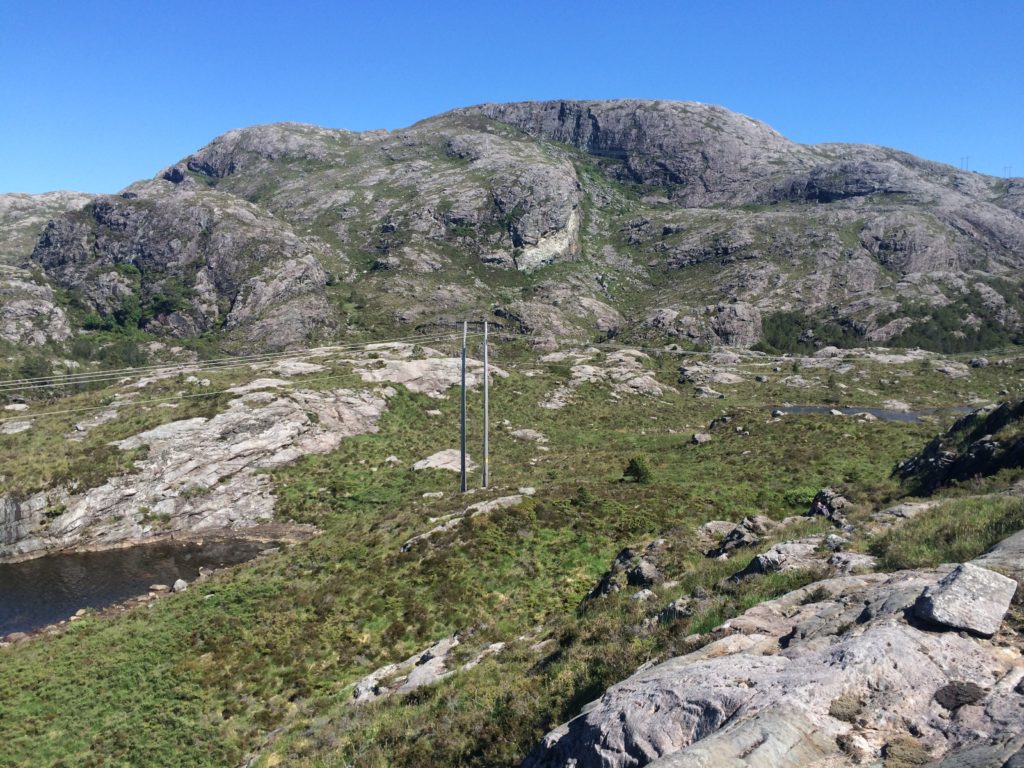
183 263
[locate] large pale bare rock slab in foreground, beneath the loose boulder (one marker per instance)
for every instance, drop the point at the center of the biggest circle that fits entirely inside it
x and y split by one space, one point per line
812 679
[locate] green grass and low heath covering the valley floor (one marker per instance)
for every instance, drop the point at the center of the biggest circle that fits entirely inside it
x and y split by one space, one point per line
203 677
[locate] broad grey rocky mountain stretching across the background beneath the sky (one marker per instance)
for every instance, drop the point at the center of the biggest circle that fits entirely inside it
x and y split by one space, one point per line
558 220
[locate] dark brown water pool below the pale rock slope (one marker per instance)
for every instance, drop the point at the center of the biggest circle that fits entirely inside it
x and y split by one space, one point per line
39 592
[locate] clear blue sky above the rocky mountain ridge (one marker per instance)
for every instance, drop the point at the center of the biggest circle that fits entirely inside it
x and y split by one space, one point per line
97 95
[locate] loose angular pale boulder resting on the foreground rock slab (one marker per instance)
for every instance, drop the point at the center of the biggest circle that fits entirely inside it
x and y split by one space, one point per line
970 599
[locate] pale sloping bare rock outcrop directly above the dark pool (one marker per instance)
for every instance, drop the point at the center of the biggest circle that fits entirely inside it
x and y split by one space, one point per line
195 475
